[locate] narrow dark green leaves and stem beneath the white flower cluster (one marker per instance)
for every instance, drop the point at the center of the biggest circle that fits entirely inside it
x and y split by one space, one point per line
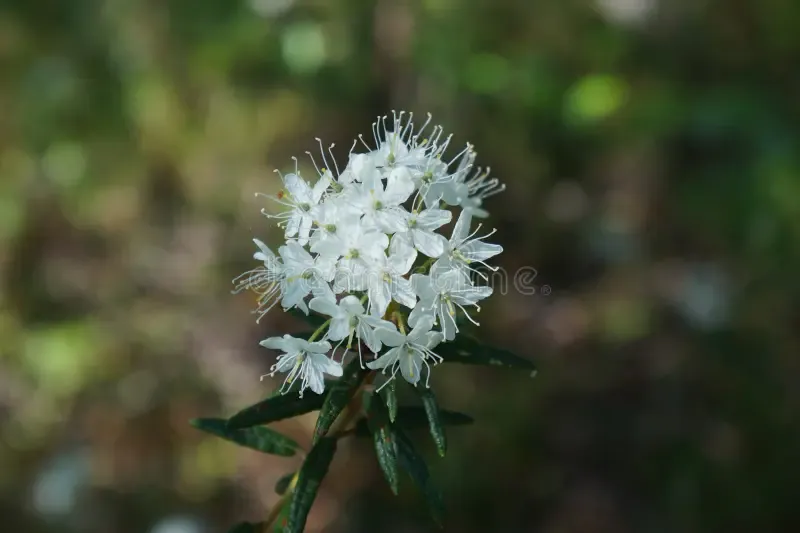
343 405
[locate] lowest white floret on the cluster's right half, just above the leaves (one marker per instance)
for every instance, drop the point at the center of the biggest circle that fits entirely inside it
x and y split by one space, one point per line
409 353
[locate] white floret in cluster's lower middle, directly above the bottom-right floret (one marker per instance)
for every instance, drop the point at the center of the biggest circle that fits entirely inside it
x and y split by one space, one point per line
385 281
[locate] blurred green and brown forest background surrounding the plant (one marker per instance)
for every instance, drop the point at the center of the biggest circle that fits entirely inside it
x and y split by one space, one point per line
652 158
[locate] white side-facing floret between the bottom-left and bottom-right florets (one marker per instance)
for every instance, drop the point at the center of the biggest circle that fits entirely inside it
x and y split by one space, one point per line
348 320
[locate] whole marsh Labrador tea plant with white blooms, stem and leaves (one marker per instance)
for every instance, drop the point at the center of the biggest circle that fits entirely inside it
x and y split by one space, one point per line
367 265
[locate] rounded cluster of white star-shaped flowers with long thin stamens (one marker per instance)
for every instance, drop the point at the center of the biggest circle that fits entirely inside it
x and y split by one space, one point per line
352 239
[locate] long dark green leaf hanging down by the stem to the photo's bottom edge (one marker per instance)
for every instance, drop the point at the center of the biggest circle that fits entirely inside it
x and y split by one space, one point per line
311 475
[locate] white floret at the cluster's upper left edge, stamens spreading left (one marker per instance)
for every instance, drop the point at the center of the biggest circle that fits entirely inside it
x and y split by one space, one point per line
300 198
